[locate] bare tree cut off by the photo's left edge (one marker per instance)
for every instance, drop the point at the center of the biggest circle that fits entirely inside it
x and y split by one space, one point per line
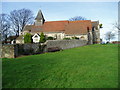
4 26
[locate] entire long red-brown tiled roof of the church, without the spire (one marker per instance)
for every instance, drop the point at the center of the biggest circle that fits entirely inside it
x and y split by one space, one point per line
69 27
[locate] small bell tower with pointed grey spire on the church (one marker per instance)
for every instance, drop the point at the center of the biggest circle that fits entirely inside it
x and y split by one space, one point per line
39 20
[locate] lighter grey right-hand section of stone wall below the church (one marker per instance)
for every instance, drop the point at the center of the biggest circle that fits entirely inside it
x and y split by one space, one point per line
65 44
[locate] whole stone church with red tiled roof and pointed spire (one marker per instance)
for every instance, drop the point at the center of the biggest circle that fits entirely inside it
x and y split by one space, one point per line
82 29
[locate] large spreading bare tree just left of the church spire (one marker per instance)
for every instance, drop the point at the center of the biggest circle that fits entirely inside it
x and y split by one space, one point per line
20 18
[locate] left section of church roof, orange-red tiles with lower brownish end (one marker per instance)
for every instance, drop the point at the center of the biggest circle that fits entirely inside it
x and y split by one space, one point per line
49 26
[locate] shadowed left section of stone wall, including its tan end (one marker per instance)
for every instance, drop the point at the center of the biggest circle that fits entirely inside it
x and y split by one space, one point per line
13 51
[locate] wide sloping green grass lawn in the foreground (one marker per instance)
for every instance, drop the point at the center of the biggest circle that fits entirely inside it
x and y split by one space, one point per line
93 66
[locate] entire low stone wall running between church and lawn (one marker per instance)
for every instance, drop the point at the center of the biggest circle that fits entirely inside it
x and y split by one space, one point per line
12 51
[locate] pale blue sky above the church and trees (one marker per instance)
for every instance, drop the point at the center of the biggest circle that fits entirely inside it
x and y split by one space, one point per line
105 12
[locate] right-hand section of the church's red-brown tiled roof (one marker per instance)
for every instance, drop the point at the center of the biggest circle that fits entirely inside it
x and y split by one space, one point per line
78 27
